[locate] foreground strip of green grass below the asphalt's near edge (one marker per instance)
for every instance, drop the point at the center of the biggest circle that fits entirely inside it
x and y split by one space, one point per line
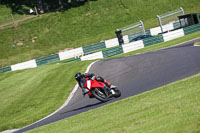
172 108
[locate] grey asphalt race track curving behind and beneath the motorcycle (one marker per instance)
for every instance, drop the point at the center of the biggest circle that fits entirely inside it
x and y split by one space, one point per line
134 75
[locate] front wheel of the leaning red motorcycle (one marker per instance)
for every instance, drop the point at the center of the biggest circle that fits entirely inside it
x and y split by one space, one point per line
100 95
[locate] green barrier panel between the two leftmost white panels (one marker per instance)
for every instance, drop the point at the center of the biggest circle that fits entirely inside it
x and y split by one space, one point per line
47 59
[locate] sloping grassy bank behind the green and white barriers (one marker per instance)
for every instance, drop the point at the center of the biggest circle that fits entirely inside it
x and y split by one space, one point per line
91 23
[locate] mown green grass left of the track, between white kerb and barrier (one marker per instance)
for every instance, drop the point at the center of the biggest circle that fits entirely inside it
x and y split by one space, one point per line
29 95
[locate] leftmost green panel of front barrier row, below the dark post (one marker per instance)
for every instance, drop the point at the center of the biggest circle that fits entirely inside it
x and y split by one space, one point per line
112 51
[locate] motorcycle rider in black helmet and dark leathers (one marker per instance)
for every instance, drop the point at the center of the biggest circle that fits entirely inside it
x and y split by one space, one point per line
81 79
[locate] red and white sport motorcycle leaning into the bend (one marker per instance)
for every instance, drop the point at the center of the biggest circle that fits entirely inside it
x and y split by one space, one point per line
100 90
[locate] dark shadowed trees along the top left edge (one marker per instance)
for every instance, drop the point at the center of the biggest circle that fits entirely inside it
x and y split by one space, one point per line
42 6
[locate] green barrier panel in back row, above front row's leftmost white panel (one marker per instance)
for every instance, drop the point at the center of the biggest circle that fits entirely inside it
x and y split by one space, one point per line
94 47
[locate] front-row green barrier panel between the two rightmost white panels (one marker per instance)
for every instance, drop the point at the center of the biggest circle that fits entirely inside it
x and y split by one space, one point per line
153 40
